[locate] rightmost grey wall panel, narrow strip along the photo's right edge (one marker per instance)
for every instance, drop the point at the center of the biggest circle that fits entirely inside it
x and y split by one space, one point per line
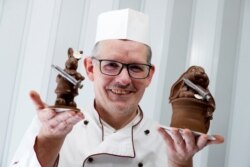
238 147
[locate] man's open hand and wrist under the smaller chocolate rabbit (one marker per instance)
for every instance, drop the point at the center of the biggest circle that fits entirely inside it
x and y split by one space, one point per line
55 127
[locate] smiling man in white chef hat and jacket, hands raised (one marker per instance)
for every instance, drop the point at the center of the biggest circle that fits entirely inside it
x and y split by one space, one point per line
112 131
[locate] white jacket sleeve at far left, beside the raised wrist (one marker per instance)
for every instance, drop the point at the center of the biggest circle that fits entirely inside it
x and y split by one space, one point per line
25 155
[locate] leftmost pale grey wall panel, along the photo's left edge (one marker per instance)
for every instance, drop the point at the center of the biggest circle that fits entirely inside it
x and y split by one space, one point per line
13 16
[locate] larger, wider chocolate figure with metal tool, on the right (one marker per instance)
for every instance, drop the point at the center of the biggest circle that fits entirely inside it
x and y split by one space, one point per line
192 103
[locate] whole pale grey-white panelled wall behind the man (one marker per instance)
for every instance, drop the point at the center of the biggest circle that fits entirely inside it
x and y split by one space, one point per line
214 34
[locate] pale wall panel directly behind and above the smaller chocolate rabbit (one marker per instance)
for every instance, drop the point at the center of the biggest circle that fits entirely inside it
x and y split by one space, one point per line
67 35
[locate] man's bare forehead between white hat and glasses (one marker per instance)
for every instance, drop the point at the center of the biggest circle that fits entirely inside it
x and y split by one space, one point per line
123 50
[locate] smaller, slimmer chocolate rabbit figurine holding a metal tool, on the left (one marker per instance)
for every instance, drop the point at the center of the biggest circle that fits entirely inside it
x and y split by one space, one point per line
68 83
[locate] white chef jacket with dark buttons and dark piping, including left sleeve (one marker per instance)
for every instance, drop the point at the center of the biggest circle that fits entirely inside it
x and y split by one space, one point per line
93 143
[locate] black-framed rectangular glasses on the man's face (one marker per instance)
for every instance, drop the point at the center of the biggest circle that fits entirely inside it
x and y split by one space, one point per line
114 68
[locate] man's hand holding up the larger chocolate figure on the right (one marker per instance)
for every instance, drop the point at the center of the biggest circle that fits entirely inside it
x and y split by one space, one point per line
181 147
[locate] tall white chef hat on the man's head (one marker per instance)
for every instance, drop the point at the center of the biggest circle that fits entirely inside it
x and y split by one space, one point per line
123 24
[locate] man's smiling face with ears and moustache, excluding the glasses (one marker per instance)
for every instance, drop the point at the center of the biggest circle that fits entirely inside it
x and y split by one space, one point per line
118 95
